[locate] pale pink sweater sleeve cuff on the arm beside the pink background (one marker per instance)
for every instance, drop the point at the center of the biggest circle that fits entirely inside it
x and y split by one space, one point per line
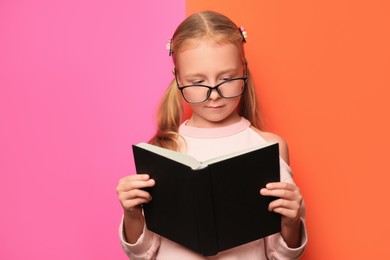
145 248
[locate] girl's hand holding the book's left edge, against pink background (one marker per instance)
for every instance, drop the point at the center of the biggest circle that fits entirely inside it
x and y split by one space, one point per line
131 195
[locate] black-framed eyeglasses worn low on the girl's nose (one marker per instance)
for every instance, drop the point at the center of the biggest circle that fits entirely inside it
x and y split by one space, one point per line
198 93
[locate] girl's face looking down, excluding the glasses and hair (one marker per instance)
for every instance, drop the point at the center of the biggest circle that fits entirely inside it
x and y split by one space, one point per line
209 64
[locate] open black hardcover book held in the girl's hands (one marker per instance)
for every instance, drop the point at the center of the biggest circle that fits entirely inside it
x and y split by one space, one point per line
210 206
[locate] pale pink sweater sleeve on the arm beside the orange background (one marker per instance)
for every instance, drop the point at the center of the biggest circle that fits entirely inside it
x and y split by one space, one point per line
276 247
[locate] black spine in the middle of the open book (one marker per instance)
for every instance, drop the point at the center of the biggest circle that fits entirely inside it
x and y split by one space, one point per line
205 216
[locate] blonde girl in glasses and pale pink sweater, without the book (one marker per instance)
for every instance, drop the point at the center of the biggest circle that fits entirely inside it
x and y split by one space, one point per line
212 76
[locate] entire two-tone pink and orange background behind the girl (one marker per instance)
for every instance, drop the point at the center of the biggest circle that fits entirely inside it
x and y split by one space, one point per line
80 81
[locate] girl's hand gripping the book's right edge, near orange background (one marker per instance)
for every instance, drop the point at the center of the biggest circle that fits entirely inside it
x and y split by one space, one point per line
289 202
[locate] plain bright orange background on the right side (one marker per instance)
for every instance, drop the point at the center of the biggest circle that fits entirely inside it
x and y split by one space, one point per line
322 74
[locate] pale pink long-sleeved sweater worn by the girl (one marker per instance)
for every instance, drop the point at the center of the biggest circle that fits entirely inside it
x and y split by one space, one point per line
203 144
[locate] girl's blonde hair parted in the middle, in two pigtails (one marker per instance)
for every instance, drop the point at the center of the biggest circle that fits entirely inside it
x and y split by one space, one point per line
207 25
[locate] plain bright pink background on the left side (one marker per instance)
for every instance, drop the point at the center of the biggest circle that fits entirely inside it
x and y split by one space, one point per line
77 80
